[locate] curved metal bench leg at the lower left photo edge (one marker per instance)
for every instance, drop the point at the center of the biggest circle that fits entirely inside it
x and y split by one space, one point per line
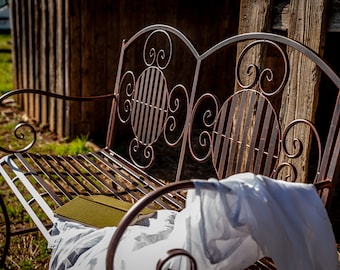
5 233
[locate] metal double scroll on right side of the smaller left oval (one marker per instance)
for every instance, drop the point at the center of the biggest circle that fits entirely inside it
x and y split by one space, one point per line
178 105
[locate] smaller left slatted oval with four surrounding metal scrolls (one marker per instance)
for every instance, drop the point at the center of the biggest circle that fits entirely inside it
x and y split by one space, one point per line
149 105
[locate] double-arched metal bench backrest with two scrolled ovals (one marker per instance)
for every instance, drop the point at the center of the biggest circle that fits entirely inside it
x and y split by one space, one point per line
222 111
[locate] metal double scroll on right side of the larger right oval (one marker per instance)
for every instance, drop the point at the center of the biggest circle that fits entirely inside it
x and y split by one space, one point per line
293 148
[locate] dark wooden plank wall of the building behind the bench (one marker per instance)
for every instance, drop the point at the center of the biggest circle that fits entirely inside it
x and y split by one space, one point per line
72 47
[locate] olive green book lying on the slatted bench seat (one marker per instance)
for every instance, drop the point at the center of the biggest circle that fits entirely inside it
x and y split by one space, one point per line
97 211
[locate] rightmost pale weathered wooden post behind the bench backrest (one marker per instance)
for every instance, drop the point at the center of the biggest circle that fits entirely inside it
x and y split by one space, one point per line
300 98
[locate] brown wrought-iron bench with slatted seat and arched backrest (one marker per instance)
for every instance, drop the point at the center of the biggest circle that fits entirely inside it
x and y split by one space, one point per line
217 113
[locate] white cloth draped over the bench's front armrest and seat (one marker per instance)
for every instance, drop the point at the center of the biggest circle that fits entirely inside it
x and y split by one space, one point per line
226 224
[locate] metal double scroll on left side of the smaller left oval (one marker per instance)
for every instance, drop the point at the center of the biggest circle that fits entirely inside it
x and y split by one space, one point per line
126 88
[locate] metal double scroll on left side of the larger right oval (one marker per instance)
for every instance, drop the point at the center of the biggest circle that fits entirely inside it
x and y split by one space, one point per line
202 122
